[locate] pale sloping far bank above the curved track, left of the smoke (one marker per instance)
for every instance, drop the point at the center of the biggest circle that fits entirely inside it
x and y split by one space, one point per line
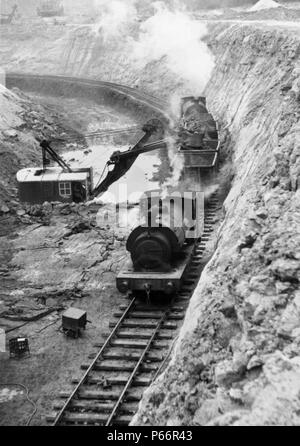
73 50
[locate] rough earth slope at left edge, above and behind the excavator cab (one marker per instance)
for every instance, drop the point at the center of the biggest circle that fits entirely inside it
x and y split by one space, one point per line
22 124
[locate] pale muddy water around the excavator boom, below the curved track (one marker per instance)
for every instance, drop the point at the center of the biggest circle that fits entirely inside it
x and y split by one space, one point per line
86 117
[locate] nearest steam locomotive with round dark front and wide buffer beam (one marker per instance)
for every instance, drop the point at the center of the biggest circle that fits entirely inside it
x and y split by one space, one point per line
161 245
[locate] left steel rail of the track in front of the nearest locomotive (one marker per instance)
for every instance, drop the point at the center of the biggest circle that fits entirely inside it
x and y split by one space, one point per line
86 374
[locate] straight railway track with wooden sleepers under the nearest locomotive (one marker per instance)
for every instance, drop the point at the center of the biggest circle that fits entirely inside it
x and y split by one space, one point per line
133 354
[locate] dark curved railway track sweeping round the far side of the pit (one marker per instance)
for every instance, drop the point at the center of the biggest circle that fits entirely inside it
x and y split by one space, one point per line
156 104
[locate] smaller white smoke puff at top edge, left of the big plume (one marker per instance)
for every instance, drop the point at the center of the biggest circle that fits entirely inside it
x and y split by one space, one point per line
114 17
